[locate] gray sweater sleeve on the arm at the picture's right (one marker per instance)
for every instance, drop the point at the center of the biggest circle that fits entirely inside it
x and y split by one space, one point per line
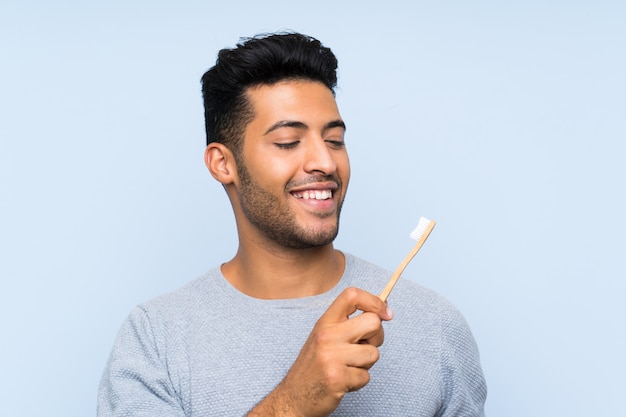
464 386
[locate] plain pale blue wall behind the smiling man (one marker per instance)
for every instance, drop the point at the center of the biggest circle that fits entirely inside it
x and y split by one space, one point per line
504 122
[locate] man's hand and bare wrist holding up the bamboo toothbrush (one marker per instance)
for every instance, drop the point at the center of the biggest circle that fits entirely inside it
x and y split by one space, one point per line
334 360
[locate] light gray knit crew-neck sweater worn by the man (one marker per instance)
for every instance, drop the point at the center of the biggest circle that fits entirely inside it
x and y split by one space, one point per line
209 350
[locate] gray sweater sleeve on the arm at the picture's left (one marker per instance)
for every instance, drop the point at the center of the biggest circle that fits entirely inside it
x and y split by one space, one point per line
136 381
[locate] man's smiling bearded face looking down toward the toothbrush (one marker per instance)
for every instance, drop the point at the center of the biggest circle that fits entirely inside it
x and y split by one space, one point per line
295 170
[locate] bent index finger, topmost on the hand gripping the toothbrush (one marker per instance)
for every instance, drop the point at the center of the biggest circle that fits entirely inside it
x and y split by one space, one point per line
353 299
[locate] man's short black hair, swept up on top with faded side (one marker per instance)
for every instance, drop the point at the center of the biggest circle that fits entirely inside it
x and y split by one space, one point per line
260 60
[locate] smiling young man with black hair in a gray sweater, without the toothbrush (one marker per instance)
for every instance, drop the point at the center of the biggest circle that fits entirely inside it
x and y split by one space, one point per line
290 326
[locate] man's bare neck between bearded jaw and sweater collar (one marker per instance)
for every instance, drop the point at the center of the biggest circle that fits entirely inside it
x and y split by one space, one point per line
269 273
